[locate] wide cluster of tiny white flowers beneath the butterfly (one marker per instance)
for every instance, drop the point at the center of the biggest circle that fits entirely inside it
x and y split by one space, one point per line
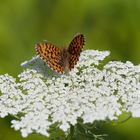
89 92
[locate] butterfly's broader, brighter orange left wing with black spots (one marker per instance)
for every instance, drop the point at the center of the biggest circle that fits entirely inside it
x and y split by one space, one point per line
51 55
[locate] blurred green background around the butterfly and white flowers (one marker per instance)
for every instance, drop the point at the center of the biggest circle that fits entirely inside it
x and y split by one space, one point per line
107 24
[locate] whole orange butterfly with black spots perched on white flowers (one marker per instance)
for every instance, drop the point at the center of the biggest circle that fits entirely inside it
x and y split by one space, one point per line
64 59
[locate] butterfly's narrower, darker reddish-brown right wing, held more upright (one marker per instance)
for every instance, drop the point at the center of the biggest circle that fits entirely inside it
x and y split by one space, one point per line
75 49
